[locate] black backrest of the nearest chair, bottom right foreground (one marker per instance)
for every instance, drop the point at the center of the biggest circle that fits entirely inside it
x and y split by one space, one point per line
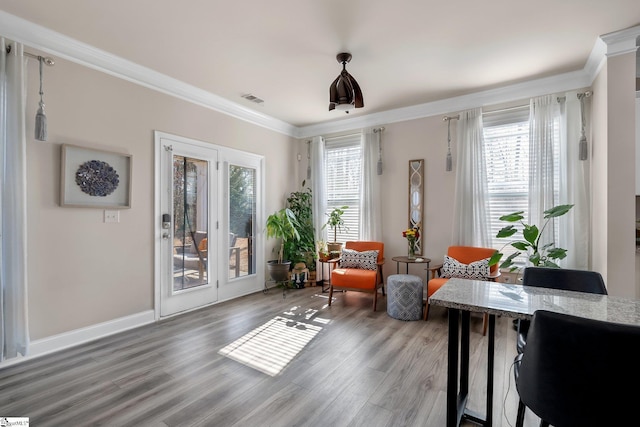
579 372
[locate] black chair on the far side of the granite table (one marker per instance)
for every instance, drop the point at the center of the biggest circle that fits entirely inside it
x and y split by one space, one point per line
555 278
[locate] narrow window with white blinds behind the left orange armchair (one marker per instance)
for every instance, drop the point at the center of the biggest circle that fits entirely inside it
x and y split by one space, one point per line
343 165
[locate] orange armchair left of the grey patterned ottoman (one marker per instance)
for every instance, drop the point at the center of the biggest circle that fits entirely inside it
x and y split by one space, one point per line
351 276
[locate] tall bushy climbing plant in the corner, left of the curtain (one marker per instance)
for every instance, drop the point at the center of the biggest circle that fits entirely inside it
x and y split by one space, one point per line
303 249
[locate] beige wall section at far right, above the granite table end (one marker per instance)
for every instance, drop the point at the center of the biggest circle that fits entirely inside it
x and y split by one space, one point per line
613 220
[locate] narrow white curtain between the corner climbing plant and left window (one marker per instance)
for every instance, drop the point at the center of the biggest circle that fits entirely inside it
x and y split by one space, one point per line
319 197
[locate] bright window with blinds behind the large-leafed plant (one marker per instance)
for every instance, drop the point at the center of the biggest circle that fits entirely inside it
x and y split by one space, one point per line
506 139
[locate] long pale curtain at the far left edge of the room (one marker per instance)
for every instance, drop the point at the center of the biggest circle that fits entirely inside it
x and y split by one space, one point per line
13 184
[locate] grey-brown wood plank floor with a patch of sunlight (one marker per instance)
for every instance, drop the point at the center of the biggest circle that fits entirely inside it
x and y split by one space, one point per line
262 360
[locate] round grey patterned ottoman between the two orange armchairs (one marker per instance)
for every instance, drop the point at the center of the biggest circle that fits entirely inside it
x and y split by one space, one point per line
404 297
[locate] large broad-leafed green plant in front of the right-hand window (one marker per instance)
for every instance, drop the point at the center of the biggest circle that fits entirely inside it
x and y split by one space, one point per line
542 256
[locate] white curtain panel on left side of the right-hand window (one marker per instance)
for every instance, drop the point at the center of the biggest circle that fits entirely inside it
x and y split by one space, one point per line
471 208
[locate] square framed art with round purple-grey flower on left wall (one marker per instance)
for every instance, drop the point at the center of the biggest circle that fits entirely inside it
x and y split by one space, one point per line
94 178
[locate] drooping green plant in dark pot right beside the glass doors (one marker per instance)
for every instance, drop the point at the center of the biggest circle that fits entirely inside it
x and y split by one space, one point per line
281 225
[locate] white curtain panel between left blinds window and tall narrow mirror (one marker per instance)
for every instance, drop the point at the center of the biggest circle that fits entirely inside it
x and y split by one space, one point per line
371 207
